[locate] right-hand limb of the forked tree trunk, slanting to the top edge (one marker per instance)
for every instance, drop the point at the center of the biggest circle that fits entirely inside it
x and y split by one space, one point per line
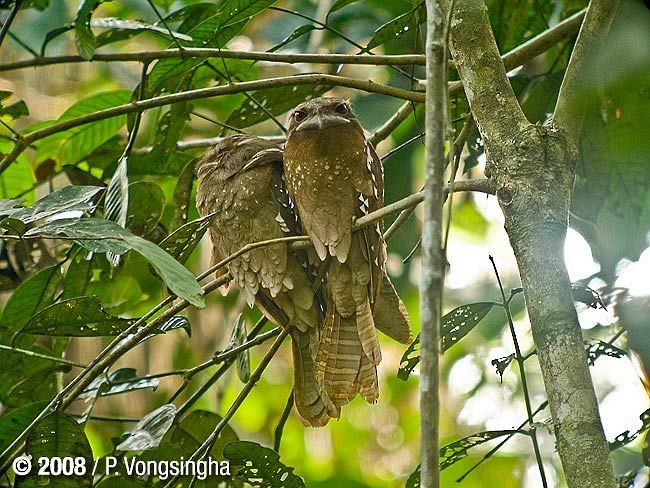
570 107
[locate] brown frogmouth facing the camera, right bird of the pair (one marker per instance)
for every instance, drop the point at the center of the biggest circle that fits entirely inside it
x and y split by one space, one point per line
333 177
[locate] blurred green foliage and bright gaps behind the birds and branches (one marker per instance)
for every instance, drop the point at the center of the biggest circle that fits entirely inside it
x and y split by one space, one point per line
370 445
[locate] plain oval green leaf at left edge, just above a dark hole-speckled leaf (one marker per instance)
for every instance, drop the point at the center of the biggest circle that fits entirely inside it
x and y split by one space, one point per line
31 296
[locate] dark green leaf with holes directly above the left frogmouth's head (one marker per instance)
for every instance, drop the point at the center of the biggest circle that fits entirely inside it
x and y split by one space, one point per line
275 101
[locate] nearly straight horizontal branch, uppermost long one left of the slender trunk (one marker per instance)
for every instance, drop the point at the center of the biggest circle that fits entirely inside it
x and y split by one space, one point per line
203 53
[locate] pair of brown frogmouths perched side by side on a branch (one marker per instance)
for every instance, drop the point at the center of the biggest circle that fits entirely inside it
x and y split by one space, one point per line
333 297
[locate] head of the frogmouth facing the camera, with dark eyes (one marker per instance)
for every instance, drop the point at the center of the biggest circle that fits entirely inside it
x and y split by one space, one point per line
321 113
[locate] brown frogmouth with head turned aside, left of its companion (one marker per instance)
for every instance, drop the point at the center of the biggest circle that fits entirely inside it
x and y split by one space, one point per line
240 181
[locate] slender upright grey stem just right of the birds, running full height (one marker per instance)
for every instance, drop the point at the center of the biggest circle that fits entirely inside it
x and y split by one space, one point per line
433 266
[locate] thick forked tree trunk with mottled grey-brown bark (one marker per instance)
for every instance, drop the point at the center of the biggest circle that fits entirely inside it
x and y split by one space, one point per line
532 168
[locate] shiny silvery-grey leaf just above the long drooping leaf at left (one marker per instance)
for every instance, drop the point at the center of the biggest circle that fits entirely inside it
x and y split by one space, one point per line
69 198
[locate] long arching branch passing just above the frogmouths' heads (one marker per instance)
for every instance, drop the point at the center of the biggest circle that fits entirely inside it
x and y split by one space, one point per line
229 89
